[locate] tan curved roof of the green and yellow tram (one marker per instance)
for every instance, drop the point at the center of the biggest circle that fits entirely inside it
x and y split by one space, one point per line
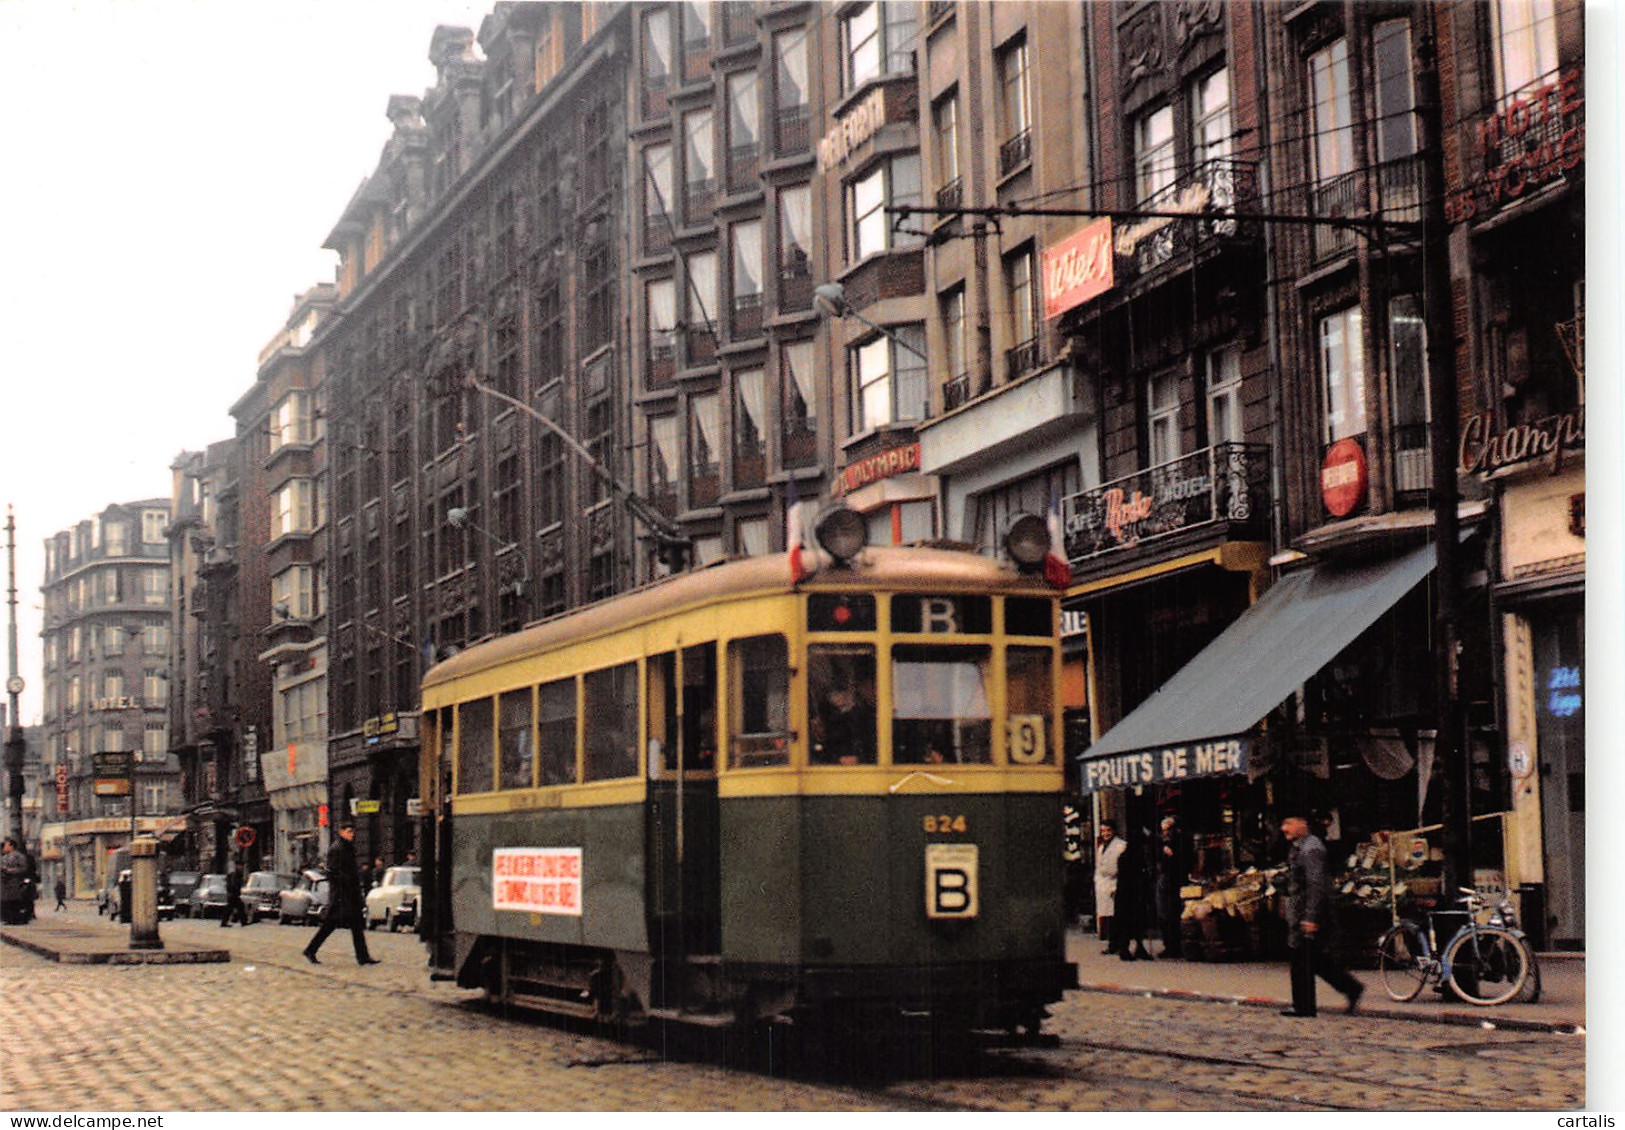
886 568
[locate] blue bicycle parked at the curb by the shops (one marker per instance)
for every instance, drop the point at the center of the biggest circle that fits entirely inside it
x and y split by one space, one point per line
1484 965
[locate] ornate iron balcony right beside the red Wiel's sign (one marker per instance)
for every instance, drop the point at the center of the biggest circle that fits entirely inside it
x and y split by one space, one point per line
1215 191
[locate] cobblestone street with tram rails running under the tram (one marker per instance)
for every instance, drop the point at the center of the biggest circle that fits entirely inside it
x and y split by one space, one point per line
267 1032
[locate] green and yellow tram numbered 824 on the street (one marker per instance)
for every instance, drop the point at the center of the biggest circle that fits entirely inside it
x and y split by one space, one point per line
742 796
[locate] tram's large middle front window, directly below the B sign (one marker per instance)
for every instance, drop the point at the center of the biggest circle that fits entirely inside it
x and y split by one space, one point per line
940 705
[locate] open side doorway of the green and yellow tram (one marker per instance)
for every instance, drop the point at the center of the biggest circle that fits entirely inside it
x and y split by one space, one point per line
685 906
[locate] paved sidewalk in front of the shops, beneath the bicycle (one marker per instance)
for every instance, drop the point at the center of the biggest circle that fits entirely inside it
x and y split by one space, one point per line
1265 984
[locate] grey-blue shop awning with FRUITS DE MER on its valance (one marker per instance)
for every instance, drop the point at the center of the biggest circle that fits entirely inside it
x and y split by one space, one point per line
1198 723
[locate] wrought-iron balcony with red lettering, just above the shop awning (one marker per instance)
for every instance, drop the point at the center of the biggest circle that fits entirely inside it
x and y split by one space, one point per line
1226 485
